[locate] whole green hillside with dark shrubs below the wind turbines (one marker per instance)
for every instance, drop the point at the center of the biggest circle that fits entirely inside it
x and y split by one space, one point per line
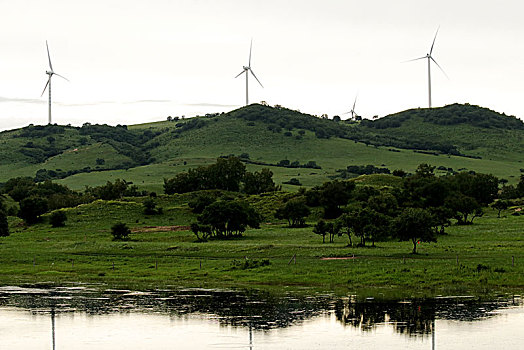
456 136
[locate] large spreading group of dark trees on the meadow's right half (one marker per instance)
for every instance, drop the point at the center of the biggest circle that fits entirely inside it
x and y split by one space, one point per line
418 211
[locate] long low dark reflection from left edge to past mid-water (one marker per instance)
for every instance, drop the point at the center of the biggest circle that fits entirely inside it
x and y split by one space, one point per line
256 309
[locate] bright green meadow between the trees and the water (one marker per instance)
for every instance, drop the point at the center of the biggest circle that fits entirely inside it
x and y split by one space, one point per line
486 257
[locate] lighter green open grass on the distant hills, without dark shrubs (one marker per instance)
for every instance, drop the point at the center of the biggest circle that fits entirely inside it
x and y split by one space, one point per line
225 135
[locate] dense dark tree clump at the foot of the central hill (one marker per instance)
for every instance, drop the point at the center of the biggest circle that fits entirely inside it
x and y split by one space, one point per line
226 174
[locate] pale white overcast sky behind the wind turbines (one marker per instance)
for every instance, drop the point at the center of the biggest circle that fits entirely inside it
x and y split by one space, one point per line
136 61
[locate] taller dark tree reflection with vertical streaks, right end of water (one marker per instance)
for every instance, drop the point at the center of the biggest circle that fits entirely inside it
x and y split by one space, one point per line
415 317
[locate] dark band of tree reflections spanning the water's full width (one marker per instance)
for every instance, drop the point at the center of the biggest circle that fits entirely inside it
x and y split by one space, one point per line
256 309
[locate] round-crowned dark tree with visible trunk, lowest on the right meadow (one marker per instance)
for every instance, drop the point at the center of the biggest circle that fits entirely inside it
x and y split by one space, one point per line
415 225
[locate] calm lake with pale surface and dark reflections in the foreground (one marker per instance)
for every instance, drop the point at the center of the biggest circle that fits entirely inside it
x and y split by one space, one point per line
85 317
